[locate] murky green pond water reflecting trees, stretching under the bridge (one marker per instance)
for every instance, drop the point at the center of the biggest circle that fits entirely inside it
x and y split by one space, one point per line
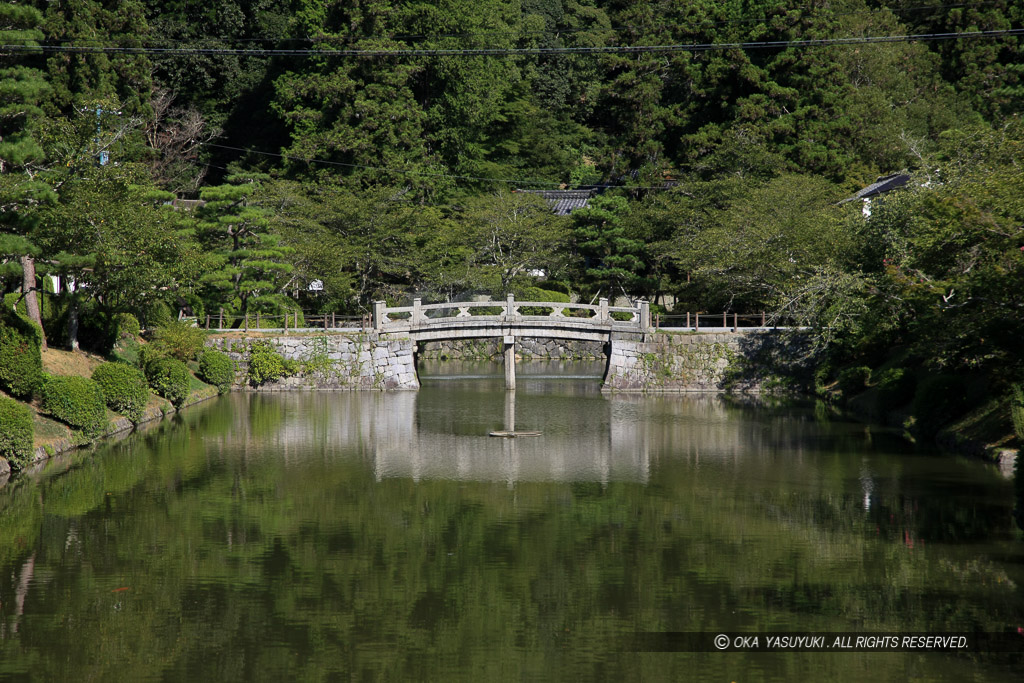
368 536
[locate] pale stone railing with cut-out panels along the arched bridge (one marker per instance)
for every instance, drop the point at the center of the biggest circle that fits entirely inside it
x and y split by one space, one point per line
420 315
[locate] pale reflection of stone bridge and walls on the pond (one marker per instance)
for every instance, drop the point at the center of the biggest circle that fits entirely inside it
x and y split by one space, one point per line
586 438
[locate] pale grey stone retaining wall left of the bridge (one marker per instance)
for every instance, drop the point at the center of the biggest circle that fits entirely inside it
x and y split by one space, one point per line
329 361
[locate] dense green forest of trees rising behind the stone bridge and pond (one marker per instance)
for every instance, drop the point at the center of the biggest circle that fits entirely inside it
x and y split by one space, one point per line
374 146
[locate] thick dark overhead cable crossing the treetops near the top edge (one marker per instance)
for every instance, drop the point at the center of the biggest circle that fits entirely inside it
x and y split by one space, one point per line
526 52
